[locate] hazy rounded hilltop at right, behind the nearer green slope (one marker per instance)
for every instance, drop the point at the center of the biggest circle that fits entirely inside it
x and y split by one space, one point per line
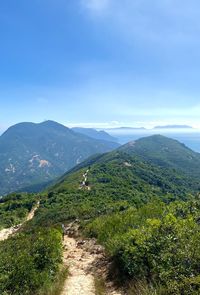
166 153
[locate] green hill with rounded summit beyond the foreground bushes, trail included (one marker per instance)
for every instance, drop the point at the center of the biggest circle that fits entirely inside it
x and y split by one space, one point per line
132 175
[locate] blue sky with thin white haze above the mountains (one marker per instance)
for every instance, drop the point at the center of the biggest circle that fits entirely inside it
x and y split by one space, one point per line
100 63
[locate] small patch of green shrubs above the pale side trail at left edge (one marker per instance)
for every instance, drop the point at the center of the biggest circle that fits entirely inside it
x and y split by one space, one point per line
14 208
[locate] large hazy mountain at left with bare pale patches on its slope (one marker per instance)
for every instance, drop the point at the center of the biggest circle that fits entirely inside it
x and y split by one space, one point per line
31 154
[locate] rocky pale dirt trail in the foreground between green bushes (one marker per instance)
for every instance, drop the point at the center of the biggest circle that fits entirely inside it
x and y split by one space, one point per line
85 260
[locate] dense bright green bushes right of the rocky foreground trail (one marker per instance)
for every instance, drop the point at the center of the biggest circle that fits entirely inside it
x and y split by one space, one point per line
157 243
